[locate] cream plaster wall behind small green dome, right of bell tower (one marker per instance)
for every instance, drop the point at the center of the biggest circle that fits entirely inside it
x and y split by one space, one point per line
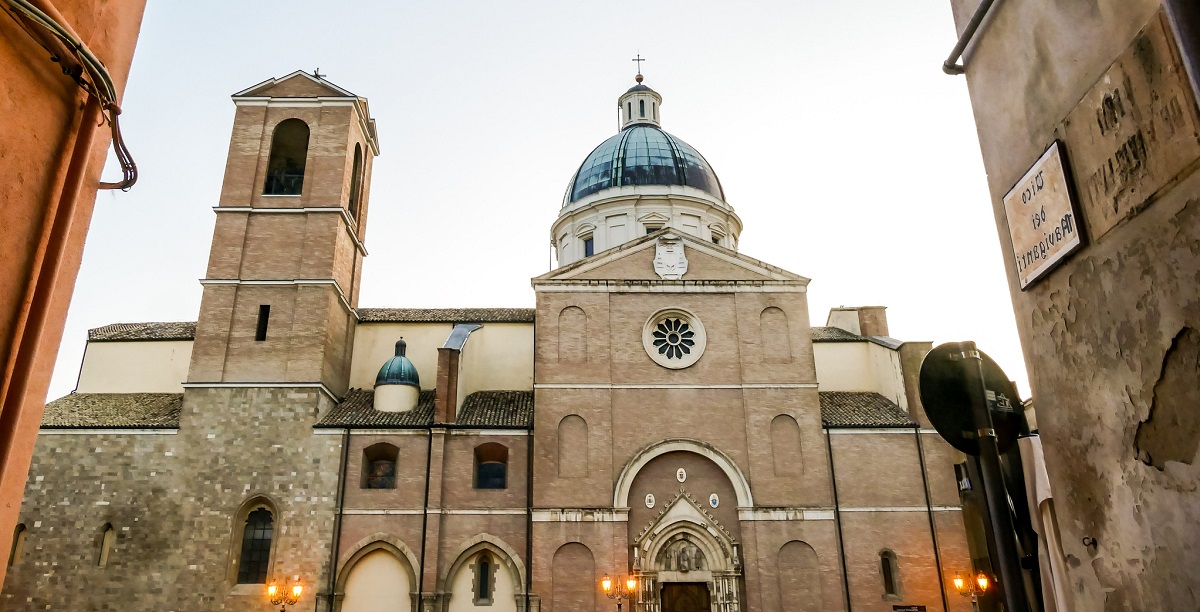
376 344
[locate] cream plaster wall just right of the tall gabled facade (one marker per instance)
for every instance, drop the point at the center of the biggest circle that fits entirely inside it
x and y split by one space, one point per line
860 367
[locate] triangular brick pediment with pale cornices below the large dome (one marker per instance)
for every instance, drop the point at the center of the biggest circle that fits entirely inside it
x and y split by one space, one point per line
707 263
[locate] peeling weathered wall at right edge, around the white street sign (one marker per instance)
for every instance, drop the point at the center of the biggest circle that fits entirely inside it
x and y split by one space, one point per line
1109 335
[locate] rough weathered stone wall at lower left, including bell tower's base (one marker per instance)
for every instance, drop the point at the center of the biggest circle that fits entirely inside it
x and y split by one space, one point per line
172 500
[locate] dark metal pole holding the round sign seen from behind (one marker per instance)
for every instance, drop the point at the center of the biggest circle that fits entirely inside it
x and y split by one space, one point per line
1007 561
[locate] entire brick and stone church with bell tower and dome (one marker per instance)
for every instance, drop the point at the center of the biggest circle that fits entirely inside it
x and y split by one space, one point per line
665 416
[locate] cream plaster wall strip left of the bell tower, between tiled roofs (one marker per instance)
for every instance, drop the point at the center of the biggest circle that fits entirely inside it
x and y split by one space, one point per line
125 368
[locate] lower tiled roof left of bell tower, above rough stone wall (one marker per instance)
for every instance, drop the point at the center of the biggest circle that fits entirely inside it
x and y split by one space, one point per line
115 411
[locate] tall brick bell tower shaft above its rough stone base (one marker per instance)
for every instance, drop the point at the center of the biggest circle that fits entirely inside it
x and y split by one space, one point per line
287 251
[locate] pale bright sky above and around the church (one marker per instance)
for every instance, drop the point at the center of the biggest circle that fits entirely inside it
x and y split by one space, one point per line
850 157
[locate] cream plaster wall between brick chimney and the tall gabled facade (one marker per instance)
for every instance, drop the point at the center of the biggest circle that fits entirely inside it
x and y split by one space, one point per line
497 357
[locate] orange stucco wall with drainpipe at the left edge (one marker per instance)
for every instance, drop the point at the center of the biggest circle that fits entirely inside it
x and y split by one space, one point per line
51 160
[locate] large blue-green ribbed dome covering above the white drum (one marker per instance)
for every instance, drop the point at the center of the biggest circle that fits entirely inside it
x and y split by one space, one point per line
643 154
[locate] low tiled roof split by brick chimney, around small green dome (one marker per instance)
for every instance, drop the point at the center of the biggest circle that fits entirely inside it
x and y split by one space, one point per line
479 410
